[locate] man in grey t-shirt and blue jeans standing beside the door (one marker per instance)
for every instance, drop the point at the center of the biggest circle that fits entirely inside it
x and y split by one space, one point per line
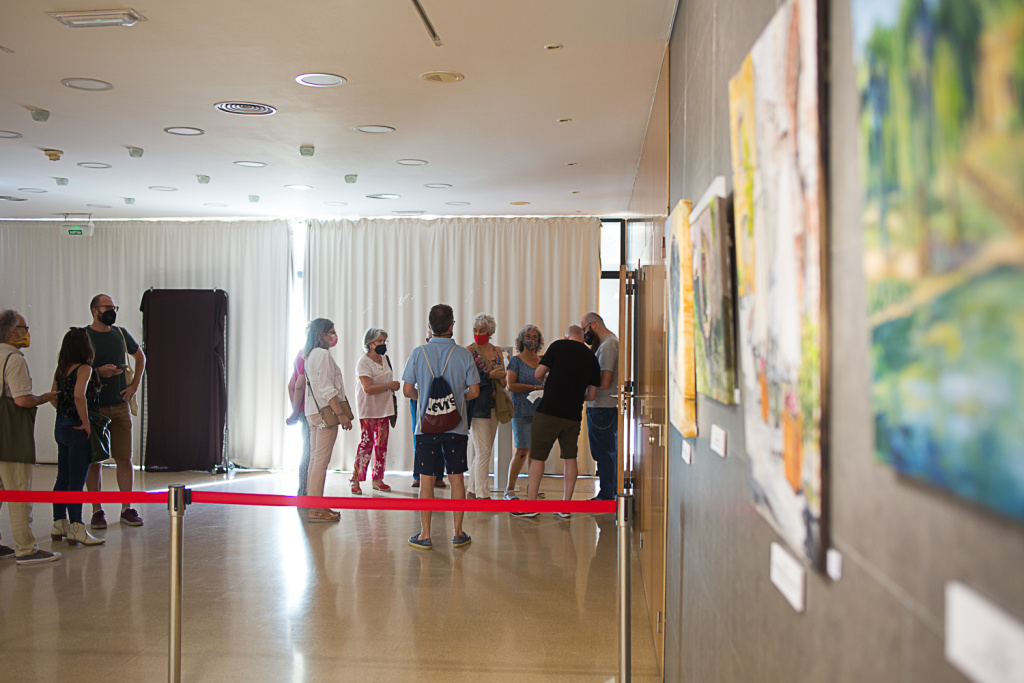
603 418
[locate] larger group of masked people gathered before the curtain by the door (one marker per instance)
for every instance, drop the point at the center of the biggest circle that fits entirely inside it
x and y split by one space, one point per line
547 388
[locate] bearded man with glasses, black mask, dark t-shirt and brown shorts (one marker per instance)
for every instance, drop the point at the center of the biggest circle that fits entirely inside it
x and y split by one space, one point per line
113 347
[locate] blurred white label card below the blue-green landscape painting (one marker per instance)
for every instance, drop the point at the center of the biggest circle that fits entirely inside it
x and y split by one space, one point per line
984 642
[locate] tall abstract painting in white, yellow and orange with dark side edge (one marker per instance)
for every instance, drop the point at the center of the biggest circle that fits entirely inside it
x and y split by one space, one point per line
778 183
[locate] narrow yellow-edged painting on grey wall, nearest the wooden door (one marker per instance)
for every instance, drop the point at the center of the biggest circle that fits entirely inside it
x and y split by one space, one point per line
682 380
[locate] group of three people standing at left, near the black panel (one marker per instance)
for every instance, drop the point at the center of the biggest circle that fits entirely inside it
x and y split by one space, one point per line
94 375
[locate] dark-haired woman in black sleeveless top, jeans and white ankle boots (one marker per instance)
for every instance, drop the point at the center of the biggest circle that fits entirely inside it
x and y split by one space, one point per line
78 391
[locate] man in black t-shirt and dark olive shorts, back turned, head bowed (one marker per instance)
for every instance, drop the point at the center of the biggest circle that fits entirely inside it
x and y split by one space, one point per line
572 375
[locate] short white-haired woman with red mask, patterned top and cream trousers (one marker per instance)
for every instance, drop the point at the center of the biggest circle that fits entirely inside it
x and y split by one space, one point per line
491 365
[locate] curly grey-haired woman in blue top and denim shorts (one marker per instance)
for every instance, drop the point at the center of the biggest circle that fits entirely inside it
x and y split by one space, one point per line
522 381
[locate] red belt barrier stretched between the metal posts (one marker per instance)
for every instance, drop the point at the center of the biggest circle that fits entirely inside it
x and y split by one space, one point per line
345 503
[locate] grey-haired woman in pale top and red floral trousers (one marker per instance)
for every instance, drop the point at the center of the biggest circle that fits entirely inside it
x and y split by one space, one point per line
375 399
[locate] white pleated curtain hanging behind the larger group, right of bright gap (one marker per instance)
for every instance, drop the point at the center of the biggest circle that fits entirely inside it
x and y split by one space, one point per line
389 273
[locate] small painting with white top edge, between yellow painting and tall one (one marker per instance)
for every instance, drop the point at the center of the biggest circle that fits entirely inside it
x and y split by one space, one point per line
711 249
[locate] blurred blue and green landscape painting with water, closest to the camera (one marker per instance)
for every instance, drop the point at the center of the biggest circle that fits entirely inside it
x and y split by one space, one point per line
942 126
